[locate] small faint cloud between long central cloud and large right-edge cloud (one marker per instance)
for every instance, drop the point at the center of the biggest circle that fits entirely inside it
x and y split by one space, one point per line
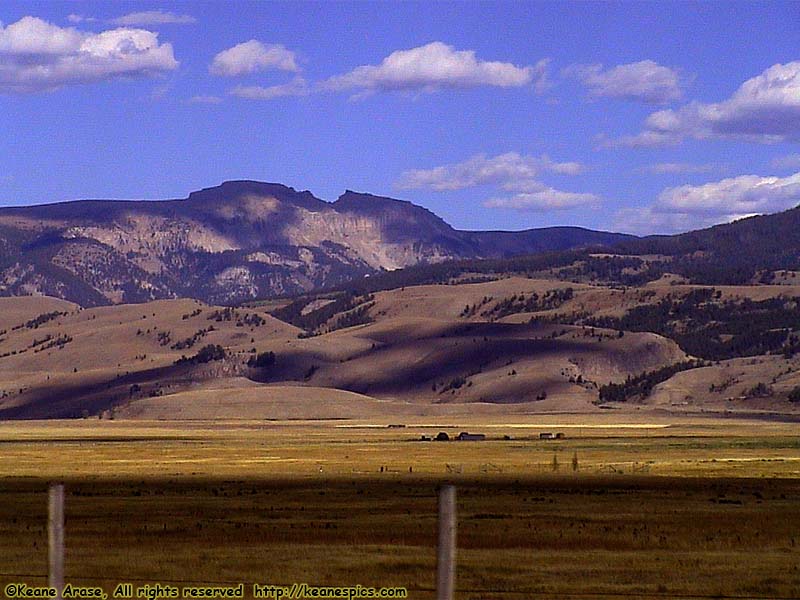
645 81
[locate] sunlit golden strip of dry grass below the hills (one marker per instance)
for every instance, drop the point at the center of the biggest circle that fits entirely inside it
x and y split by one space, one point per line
348 448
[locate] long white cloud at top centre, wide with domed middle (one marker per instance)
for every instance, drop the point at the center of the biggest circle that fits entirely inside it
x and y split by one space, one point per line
436 66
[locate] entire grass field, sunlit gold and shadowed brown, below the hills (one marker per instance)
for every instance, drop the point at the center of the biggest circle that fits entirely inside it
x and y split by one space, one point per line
658 507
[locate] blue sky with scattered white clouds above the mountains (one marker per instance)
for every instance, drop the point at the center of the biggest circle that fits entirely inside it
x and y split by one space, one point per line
642 117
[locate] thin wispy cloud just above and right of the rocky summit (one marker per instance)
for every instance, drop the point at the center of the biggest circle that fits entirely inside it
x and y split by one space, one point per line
511 171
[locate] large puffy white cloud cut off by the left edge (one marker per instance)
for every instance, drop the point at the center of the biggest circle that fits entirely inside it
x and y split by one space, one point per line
36 55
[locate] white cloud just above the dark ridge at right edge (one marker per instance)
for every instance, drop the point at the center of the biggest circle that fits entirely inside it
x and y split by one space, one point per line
736 196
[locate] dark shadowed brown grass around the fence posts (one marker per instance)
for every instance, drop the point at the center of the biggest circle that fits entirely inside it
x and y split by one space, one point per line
643 538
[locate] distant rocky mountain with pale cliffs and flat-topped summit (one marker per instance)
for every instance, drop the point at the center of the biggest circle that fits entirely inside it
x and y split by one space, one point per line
237 241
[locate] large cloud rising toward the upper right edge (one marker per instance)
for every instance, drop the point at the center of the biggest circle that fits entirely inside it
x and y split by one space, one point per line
765 109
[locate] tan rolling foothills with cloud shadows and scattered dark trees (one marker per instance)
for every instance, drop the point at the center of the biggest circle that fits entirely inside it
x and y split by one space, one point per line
511 345
